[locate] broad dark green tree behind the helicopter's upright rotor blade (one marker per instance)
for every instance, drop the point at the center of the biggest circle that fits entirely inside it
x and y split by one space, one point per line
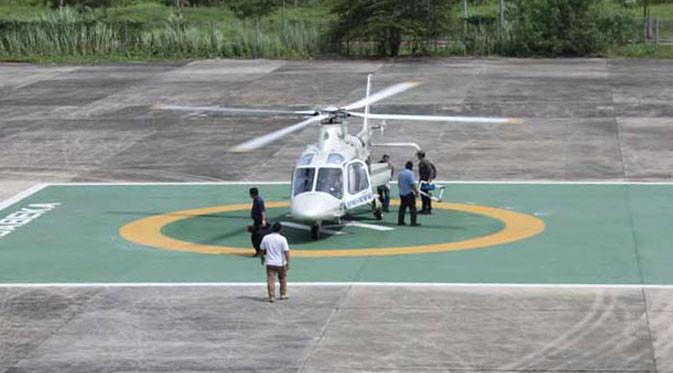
388 21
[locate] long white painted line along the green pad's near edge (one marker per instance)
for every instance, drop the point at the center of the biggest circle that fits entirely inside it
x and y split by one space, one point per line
330 284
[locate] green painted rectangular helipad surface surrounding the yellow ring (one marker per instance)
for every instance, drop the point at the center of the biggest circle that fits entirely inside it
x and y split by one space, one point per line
593 234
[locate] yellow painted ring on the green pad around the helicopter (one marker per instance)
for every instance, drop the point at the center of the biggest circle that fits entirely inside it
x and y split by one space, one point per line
517 226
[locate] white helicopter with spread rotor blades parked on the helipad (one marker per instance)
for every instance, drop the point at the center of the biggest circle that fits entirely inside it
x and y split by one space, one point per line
335 175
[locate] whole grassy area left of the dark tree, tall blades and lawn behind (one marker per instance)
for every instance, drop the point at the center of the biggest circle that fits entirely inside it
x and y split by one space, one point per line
148 30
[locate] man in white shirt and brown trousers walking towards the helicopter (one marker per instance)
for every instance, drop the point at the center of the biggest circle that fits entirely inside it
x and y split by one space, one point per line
276 253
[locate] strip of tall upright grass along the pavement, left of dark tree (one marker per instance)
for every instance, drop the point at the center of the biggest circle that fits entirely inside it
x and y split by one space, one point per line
70 33
